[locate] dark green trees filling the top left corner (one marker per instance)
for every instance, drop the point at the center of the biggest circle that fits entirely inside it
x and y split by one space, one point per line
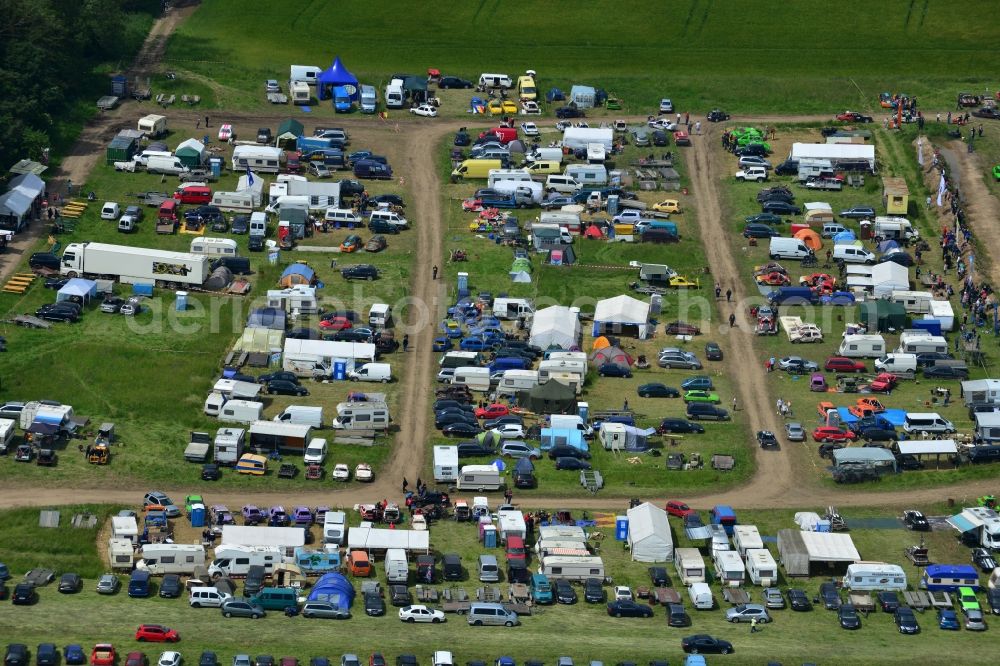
55 59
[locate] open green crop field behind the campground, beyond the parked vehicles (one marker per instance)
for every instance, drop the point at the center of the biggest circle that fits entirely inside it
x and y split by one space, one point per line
745 56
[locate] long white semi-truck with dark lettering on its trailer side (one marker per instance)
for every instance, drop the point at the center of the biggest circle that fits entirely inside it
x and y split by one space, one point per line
134 265
